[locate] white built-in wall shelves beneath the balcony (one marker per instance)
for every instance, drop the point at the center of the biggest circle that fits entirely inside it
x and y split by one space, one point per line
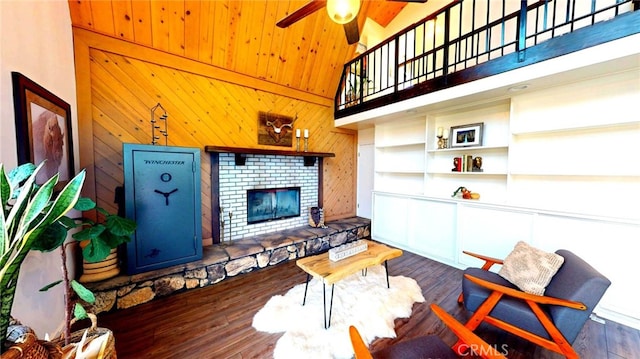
551 157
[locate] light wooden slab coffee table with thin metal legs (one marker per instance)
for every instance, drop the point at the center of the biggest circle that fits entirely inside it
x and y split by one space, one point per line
330 272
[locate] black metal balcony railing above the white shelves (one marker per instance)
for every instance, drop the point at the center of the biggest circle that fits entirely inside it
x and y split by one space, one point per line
438 51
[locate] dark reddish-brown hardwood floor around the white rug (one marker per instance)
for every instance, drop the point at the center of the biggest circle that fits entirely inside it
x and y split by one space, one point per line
215 321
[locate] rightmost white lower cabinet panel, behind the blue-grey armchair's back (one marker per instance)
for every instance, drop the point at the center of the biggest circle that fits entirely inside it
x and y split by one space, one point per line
610 247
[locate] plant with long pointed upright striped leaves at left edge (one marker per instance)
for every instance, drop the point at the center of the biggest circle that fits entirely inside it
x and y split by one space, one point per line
28 210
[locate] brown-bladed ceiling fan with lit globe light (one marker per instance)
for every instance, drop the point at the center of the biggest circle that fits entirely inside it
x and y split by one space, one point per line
348 18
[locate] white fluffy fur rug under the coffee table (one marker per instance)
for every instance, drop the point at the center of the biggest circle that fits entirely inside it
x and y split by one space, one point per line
362 301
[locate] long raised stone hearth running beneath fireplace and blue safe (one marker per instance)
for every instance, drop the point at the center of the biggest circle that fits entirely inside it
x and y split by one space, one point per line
225 260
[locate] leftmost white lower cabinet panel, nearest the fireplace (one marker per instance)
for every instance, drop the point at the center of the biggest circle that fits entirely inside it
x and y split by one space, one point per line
389 223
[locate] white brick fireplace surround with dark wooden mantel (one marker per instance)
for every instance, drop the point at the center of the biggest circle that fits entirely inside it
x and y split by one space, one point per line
236 170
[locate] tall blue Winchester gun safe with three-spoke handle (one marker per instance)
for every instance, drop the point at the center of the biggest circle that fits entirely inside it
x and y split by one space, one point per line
162 194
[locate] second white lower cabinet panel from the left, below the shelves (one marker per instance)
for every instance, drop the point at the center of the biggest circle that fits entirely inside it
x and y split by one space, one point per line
432 228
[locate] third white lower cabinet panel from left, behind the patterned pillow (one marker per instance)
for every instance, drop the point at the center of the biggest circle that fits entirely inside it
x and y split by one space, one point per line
490 231
